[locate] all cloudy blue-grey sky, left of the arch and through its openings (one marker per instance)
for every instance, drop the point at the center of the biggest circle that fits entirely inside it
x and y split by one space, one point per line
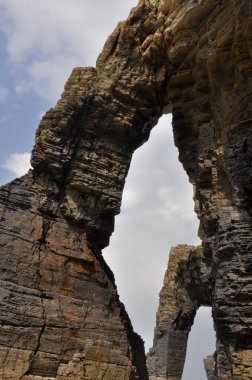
40 42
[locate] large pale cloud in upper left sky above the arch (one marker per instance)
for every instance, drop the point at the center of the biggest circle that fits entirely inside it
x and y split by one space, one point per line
46 39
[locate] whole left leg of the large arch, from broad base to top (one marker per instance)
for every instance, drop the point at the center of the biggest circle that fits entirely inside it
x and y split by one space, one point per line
61 317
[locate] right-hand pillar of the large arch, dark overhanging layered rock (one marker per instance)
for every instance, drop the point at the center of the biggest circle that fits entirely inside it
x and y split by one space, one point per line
211 95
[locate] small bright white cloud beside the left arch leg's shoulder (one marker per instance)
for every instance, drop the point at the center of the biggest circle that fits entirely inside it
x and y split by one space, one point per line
17 163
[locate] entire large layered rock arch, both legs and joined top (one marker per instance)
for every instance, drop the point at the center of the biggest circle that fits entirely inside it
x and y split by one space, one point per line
60 314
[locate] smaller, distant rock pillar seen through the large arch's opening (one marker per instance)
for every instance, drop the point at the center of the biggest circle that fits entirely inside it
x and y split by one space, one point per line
186 287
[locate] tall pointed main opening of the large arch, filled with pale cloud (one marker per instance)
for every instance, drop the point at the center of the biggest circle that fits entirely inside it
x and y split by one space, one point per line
157 212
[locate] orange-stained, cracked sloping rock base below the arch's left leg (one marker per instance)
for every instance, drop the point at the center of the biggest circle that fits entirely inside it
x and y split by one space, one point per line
60 313
